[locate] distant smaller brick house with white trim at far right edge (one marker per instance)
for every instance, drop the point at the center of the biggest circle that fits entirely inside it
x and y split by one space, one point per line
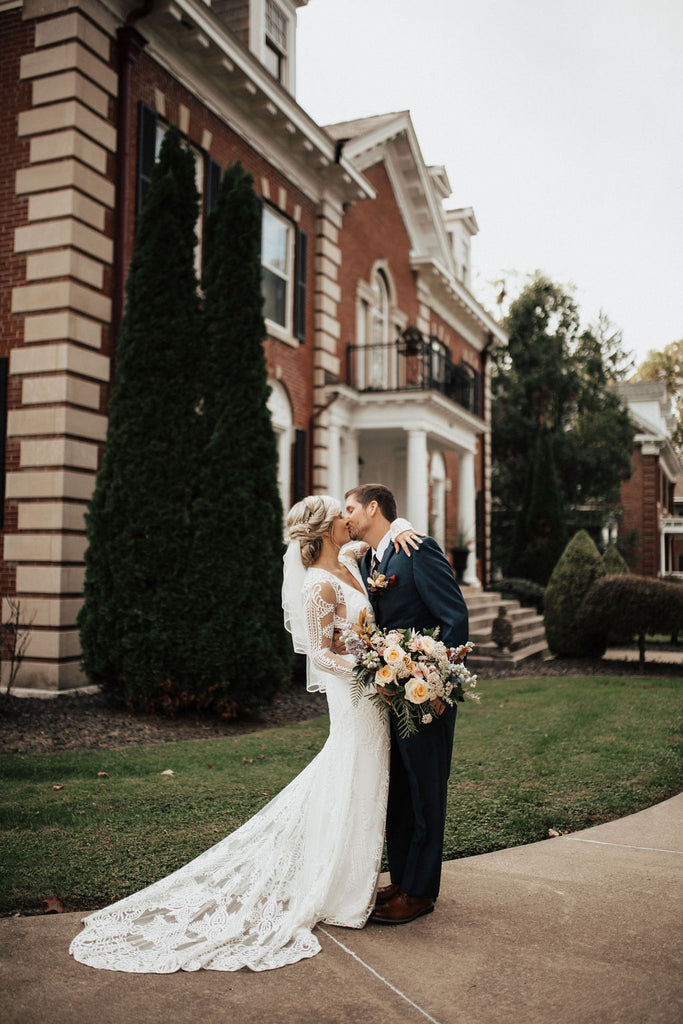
652 526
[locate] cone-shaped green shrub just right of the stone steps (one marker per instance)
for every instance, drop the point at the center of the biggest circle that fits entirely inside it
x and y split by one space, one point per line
572 579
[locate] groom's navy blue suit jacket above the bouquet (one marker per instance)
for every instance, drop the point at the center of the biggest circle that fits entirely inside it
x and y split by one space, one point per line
426 593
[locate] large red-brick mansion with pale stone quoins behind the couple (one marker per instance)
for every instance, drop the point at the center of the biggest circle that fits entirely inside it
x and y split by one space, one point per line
377 352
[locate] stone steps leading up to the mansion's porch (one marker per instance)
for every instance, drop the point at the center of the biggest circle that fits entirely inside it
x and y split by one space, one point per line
529 634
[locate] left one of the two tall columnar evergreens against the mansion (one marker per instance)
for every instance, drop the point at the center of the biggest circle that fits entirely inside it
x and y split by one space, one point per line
139 523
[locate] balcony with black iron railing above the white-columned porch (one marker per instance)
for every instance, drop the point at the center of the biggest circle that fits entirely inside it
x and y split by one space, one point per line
414 363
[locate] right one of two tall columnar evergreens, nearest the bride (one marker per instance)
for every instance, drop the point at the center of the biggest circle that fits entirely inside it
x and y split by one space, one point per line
242 650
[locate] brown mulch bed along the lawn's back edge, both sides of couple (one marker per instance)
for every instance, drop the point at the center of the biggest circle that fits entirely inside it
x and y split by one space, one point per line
87 721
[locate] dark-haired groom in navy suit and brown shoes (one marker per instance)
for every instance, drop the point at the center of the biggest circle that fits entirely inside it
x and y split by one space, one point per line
423 594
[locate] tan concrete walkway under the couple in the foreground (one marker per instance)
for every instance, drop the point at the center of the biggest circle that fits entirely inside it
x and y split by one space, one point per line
585 929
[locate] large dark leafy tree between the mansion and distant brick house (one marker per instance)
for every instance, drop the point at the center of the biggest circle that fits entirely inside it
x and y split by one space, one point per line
554 376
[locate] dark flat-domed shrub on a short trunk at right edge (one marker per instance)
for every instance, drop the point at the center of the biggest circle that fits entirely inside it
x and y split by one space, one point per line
635 605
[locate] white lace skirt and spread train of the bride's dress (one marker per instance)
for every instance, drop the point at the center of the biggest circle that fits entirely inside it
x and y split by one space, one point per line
313 855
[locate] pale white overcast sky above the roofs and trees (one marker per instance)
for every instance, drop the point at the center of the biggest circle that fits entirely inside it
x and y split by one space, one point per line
561 122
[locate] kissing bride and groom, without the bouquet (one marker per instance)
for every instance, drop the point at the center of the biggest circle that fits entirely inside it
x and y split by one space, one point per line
314 854
